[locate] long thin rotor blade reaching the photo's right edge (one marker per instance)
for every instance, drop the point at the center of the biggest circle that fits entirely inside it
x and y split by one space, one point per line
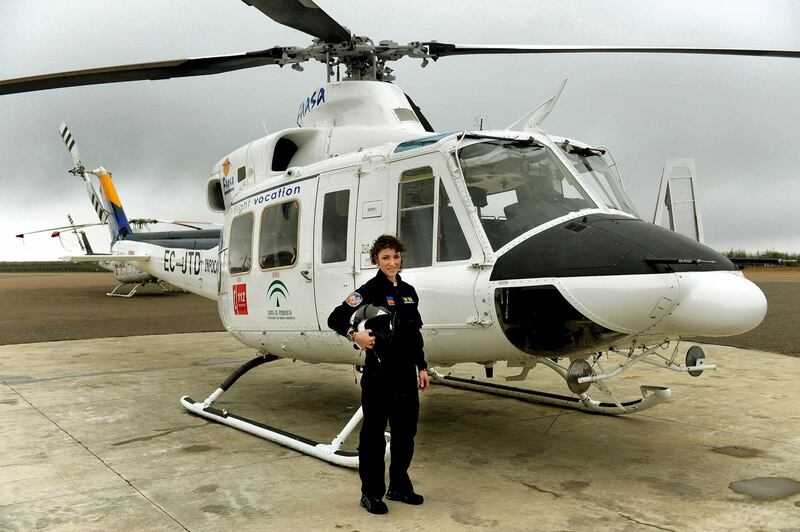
437 49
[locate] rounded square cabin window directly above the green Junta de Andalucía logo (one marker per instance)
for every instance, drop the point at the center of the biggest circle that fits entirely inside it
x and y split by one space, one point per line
278 243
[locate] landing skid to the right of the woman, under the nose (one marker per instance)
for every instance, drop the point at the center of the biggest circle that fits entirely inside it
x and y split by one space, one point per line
651 396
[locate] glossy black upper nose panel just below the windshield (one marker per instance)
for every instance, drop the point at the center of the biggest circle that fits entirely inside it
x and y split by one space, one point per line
603 244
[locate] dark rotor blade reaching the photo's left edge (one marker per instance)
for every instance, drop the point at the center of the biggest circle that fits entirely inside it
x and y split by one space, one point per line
177 68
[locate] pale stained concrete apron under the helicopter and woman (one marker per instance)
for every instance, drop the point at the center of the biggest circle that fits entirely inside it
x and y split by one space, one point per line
93 437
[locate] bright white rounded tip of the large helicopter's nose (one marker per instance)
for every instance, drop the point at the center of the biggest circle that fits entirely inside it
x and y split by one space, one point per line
715 304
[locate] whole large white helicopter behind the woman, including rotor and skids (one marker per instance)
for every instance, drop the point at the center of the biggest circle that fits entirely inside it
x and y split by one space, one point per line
524 246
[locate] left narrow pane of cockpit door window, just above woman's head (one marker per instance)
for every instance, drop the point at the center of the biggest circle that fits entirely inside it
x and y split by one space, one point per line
415 220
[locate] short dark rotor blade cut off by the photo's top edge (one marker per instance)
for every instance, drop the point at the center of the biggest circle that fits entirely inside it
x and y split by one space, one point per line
303 15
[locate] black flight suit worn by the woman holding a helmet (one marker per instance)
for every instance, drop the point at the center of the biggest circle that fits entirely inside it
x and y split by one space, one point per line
389 384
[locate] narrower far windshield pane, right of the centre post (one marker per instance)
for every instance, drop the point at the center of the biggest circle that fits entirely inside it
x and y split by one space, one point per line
600 176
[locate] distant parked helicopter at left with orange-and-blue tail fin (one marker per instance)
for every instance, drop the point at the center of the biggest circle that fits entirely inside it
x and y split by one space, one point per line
110 212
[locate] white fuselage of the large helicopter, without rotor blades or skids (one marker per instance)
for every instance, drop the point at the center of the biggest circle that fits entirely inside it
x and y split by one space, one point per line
516 249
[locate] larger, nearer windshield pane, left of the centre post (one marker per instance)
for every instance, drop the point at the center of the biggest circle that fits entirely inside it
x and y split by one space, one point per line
518 185
